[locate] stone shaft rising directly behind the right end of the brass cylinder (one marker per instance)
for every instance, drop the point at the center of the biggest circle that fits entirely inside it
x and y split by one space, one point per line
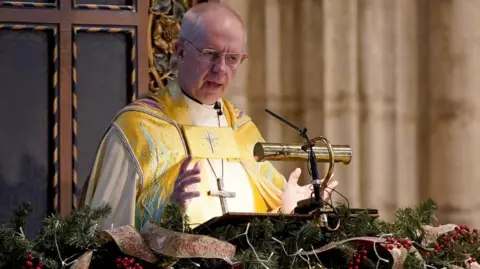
341 99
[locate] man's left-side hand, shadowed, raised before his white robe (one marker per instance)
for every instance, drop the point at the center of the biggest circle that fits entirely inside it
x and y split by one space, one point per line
182 190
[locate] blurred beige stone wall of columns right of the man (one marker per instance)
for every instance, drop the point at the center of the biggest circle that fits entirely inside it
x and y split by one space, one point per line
398 81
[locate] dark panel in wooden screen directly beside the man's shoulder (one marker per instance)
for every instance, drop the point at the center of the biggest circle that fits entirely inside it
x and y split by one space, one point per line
105 83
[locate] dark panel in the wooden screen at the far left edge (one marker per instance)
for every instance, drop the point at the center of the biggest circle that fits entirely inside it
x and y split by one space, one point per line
29 120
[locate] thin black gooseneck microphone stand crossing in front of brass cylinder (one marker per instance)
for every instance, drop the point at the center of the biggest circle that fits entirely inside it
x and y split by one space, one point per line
308 205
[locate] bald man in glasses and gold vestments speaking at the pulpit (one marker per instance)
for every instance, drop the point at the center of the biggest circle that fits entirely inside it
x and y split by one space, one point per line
188 145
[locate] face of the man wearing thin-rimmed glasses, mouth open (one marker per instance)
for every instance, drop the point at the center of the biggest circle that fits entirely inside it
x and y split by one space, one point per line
210 60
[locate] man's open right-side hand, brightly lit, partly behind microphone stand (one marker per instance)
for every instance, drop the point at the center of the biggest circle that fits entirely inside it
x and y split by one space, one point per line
294 193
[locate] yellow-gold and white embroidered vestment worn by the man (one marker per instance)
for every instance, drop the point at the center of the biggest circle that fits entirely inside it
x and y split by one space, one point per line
140 155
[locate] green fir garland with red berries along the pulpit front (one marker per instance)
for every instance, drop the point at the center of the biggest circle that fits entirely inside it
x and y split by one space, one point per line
270 242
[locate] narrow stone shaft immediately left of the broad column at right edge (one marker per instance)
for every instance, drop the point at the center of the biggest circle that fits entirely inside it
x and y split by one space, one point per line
406 85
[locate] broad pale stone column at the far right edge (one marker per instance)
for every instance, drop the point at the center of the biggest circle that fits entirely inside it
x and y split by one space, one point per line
455 109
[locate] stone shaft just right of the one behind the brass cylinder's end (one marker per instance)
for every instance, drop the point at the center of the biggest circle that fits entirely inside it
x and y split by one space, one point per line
377 97
